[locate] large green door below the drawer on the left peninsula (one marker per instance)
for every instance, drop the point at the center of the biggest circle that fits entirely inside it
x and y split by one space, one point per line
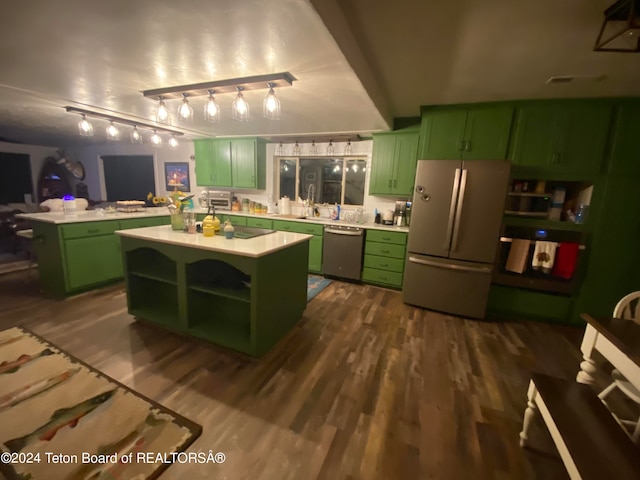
92 260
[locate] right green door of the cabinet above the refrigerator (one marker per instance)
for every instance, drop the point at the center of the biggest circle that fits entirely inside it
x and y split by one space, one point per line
487 133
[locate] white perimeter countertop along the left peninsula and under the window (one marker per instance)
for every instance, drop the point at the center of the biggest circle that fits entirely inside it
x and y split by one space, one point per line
96 216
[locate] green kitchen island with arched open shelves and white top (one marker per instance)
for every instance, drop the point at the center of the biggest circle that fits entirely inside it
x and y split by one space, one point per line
242 294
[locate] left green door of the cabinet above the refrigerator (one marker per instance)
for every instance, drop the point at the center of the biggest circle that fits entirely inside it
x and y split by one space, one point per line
442 136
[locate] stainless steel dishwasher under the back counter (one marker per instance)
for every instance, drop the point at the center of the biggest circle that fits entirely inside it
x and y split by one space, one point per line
342 251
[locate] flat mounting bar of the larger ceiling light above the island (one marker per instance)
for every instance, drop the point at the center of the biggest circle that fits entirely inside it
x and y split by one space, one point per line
282 79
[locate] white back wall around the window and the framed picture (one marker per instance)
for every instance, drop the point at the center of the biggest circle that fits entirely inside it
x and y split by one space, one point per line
95 182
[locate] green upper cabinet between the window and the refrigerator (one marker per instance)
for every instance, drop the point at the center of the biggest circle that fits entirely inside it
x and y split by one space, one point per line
394 160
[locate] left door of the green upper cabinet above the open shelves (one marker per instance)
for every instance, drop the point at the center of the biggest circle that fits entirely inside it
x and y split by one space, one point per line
535 144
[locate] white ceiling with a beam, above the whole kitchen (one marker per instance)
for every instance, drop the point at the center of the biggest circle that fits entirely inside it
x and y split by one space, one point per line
358 63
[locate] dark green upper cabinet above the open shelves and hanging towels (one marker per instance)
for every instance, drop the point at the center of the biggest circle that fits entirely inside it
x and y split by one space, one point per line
562 137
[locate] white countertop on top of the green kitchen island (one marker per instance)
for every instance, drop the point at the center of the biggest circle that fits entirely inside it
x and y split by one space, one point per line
250 247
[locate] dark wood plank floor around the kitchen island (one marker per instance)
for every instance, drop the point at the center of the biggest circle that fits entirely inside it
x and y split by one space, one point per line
365 387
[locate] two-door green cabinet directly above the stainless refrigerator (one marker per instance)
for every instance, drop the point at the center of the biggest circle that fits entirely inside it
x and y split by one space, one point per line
471 133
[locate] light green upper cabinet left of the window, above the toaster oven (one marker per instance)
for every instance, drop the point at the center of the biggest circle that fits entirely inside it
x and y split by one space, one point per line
239 163
